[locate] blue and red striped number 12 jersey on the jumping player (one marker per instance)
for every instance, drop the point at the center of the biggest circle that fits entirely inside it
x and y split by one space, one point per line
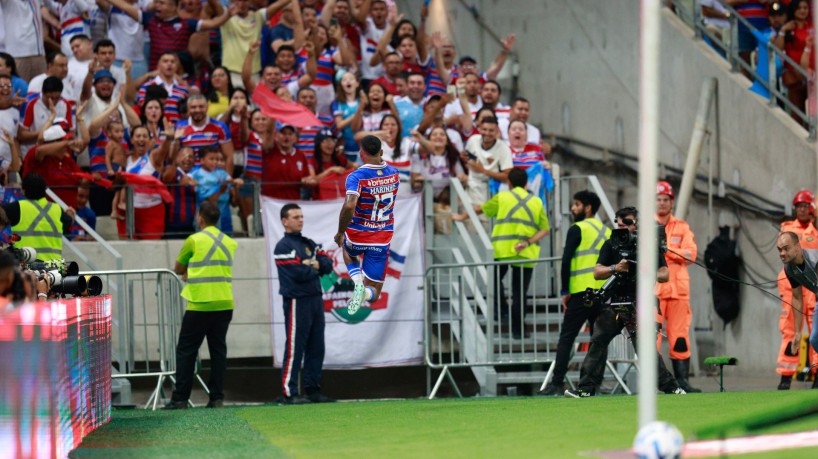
376 187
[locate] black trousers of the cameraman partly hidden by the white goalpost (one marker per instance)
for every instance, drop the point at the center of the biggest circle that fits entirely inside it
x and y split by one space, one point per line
607 326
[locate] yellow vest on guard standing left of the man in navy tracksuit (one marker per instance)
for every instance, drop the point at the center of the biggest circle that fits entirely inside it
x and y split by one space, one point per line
210 269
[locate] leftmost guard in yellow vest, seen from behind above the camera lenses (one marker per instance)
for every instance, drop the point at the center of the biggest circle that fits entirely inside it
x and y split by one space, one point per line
39 223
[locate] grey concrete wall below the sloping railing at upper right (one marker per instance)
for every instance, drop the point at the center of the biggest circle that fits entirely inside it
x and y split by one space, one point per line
578 64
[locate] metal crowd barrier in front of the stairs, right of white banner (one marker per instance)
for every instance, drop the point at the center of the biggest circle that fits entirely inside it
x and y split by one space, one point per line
462 328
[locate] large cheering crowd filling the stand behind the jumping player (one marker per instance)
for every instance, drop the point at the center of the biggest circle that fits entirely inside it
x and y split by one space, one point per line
191 101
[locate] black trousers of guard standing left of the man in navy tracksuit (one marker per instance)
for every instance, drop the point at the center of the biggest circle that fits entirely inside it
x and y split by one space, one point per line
196 326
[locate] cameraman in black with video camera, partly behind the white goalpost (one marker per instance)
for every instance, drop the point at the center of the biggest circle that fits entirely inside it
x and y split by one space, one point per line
620 311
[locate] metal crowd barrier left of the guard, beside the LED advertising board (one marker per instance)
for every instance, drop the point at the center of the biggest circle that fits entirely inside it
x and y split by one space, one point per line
147 325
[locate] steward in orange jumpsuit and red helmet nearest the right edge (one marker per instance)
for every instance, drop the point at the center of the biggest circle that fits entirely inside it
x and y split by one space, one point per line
808 238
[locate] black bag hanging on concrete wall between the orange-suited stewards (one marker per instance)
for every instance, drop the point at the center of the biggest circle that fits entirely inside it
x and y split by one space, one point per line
723 263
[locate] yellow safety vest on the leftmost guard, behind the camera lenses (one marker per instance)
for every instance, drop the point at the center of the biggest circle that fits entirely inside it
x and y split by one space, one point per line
40 228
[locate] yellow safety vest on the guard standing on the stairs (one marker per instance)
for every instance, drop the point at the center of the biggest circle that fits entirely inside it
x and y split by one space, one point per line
518 216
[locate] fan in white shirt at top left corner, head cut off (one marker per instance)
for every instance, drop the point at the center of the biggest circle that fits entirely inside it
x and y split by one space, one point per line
24 36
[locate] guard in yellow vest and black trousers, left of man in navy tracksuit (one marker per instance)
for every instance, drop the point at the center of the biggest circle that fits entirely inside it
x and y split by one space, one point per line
207 260
